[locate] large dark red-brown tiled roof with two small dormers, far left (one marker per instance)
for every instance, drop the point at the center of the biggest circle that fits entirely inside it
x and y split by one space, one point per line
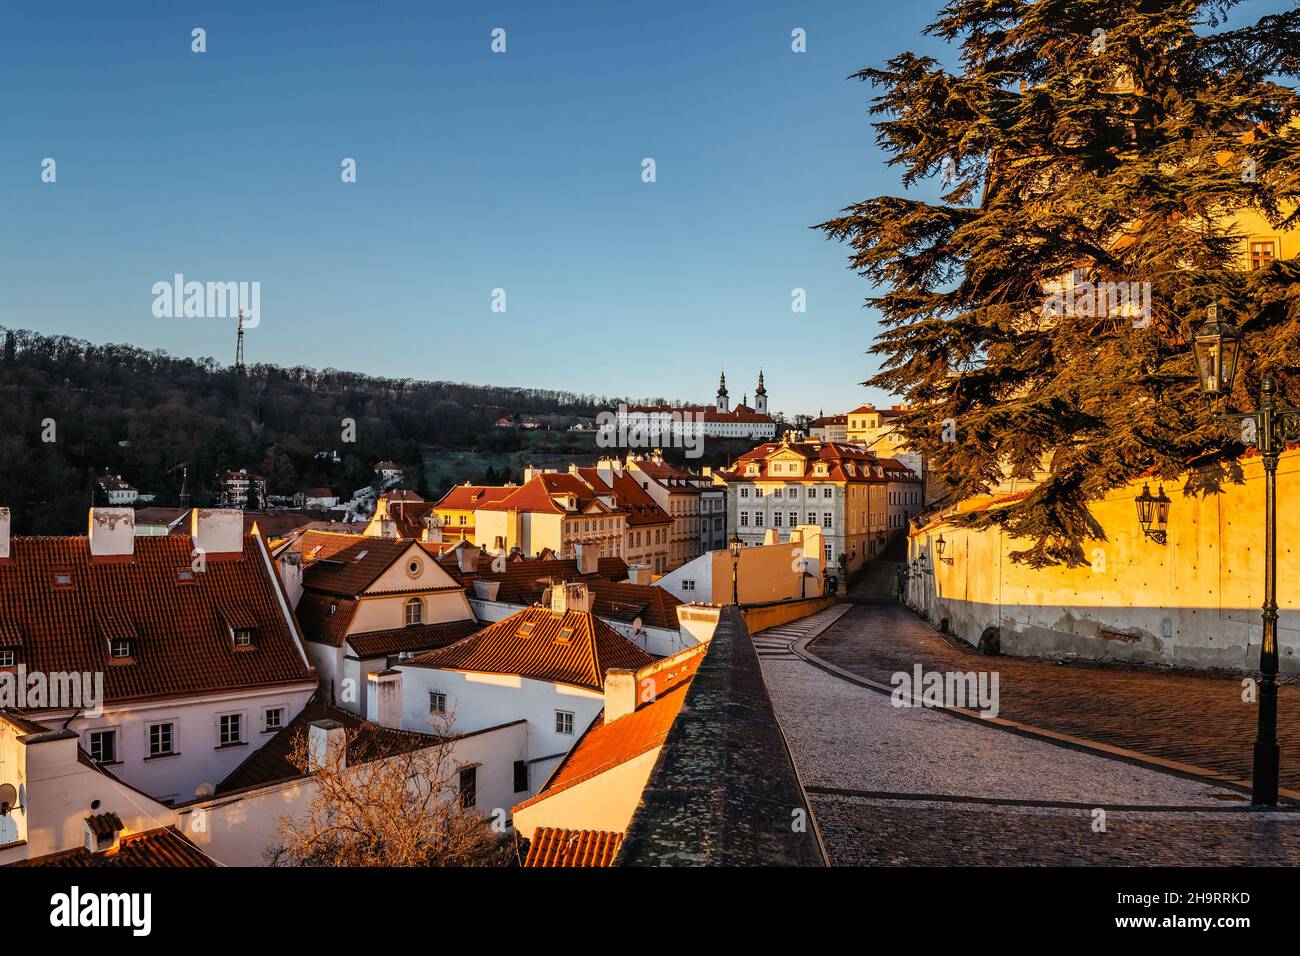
177 620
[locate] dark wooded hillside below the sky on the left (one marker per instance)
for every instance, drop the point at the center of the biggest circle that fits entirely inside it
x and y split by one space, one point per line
71 410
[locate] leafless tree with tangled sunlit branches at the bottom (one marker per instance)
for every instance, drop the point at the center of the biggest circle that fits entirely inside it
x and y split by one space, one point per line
406 810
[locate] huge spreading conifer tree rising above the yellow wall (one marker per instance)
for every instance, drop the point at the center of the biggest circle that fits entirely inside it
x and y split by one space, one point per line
1116 137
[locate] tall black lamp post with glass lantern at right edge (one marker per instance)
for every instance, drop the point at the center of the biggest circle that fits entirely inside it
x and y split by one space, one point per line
1219 348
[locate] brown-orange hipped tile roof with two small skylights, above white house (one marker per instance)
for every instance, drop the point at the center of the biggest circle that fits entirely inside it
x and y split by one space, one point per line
544 651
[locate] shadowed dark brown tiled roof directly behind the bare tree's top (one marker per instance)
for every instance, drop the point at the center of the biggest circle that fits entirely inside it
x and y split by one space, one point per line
367 742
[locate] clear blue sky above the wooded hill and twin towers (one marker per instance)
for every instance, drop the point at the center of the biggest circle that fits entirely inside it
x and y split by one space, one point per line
475 171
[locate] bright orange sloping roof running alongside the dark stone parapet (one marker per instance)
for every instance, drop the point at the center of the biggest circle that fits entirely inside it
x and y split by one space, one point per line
606 746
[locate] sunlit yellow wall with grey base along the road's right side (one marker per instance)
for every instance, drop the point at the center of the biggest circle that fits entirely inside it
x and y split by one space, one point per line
1194 602
